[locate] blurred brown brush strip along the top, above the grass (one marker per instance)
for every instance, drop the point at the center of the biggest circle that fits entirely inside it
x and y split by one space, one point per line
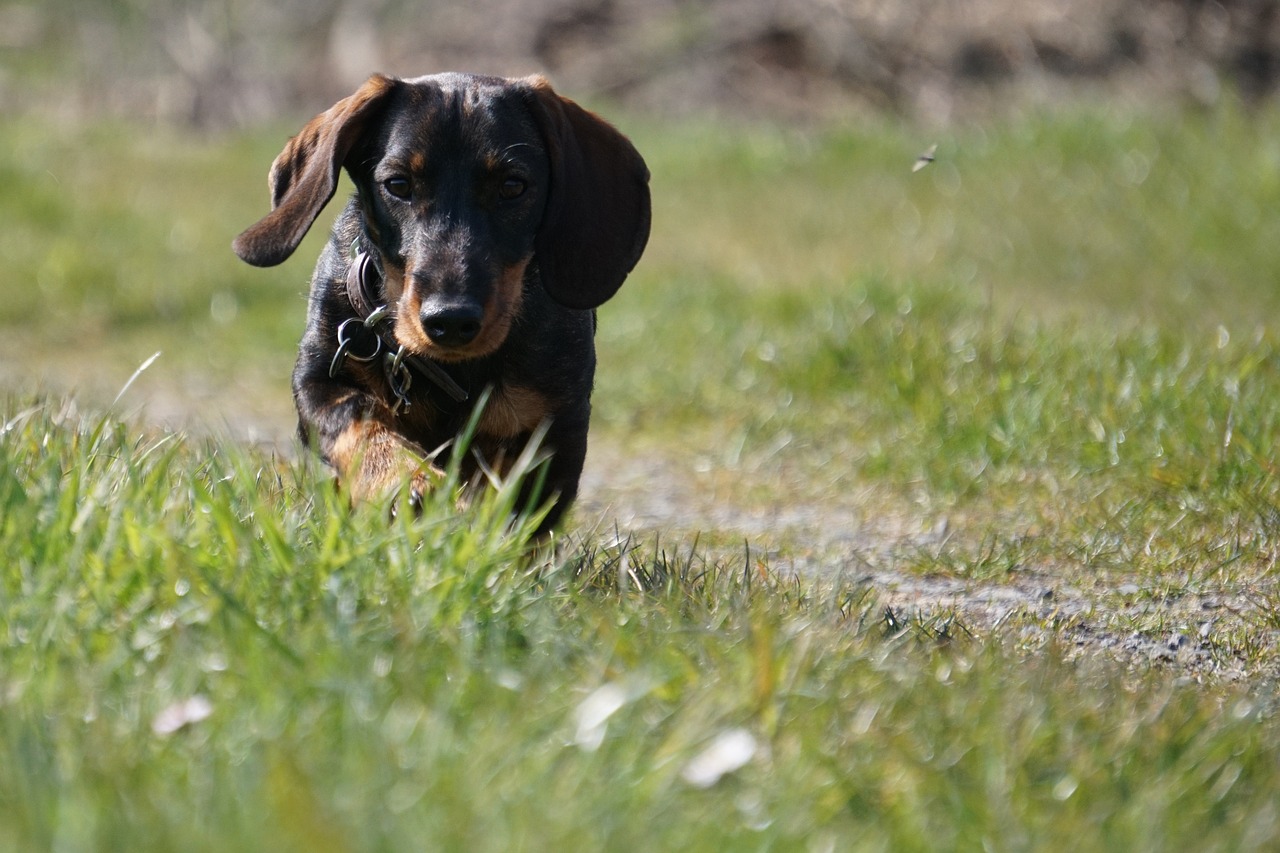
218 63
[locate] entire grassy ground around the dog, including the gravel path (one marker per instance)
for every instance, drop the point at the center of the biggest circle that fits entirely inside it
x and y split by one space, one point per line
842 405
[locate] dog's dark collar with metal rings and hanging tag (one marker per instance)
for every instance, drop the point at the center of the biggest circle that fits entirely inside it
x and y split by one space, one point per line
373 325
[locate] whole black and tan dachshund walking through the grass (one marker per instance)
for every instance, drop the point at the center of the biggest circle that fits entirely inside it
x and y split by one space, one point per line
491 218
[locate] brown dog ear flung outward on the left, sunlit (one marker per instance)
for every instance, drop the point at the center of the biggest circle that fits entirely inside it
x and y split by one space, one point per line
305 175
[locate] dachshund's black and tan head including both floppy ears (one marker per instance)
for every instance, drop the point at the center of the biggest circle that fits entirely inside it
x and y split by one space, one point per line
464 183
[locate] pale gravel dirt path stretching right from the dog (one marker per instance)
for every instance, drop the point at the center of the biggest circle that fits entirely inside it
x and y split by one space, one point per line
1205 637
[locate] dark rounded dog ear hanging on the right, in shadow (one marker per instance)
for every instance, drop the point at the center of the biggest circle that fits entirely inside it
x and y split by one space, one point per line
597 220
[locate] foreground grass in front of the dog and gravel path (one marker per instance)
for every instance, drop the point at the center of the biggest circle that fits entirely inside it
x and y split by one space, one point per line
363 686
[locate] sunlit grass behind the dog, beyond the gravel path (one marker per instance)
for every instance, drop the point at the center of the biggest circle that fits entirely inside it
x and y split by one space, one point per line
1064 326
